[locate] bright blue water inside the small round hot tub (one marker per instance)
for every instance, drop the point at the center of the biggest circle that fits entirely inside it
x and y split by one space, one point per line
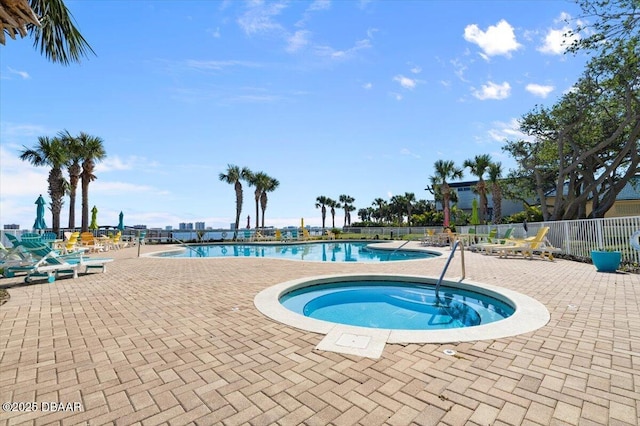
395 305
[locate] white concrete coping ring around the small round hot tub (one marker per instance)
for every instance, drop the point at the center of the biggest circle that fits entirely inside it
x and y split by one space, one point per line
529 315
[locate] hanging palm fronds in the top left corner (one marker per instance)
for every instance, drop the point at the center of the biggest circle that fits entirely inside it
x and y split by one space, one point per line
50 24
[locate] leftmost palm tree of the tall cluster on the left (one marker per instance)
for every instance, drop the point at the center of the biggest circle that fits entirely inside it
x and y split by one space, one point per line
50 152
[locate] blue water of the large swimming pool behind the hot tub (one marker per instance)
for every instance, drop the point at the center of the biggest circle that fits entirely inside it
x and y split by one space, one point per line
320 251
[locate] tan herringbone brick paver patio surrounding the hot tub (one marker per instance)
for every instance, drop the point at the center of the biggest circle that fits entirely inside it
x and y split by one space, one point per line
178 341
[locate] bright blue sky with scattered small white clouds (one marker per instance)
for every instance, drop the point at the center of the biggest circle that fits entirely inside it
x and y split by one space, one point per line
329 97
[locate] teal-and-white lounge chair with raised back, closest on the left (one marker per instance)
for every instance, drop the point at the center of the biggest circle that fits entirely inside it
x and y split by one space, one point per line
49 264
